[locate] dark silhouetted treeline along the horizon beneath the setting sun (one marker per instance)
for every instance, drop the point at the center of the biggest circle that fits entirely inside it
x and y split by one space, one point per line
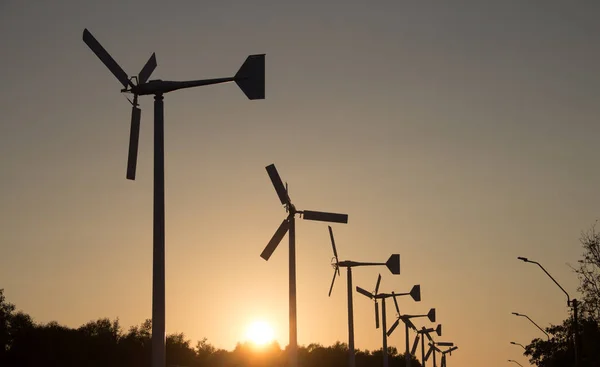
103 343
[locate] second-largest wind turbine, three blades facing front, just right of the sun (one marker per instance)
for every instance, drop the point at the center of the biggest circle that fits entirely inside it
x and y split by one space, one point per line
289 224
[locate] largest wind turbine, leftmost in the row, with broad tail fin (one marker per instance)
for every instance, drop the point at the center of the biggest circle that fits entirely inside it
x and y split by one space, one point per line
251 80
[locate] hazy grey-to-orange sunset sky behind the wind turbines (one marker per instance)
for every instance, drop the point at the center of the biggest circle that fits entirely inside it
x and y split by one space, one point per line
459 134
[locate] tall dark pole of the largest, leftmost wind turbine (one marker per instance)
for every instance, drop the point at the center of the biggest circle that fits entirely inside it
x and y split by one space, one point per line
158 256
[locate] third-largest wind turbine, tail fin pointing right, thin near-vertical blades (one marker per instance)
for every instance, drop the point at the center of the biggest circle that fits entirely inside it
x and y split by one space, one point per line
393 264
